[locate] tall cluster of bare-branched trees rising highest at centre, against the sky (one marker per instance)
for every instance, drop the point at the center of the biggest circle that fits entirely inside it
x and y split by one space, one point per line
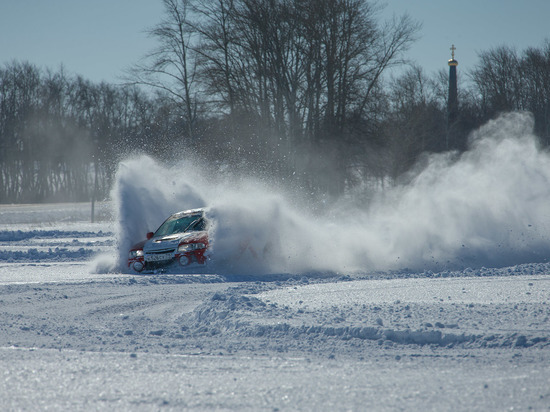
303 68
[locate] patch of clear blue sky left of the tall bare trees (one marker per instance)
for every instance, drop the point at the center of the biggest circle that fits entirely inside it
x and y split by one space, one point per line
97 39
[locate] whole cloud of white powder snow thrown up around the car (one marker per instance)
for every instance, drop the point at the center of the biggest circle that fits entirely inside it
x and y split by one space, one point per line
488 207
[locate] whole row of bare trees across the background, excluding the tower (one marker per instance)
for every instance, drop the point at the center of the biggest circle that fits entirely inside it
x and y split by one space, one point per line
297 91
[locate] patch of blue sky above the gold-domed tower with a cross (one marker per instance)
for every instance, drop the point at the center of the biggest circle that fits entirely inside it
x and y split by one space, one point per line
472 26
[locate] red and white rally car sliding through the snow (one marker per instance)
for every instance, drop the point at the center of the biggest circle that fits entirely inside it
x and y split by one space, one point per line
181 240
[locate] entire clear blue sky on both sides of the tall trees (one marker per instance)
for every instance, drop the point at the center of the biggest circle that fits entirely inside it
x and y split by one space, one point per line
98 39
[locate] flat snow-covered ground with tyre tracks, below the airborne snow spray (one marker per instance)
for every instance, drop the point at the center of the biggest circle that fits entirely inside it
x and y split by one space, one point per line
72 339
